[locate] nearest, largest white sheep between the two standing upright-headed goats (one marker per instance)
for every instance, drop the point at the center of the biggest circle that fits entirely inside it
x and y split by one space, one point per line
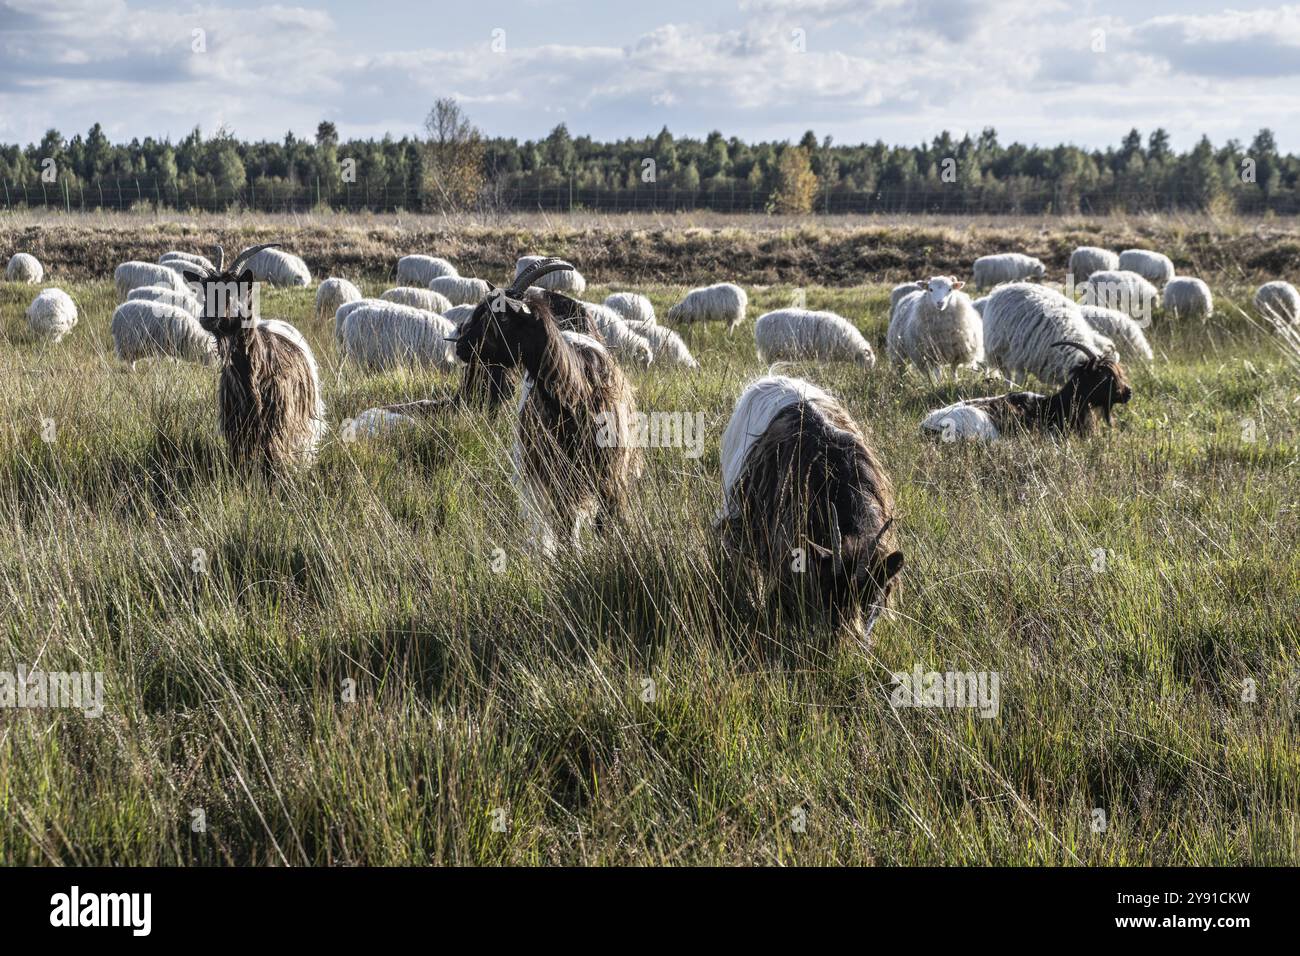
389 336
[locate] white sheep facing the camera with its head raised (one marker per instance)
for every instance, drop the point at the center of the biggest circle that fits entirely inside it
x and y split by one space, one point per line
937 328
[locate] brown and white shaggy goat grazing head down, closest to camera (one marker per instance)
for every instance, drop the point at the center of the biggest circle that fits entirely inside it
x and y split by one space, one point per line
808 503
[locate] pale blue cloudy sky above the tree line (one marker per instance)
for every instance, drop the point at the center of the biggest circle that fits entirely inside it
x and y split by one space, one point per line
902 71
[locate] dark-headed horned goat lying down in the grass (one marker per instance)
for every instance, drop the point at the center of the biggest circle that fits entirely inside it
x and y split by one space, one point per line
1097 384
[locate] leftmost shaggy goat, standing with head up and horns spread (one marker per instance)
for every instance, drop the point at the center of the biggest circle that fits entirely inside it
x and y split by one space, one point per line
270 396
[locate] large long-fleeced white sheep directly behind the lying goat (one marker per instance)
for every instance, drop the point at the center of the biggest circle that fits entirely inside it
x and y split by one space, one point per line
1022 326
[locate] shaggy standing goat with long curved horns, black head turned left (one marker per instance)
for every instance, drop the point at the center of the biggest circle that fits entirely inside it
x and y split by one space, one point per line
575 458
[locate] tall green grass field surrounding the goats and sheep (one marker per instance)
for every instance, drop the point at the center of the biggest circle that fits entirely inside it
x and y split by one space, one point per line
523 691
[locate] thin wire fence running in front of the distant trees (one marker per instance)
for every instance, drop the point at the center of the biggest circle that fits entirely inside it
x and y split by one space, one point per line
365 196
